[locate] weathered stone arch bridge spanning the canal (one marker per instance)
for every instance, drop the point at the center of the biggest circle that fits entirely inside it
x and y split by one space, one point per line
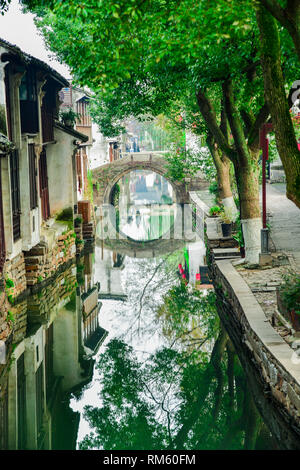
106 176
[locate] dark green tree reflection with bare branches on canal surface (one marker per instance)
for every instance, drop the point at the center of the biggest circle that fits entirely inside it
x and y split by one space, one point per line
189 394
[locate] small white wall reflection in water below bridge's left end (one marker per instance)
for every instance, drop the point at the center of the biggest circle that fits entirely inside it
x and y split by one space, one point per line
108 273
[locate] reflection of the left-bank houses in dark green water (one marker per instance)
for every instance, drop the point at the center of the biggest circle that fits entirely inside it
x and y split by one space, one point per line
56 331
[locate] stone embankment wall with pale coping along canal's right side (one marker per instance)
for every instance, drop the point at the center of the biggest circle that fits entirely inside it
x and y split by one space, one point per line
271 365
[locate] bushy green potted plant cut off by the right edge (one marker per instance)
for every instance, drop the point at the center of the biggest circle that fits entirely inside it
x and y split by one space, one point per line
288 299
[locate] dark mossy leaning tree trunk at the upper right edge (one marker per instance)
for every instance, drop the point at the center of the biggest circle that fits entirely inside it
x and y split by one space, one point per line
278 103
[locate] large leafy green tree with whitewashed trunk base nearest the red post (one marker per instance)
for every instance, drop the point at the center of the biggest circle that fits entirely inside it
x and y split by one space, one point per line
150 47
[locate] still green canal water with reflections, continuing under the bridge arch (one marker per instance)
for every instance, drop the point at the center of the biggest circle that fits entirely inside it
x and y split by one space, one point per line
119 352
